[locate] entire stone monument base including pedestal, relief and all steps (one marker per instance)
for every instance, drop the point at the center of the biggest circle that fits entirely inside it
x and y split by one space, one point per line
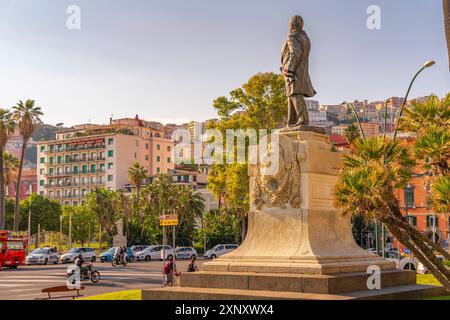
297 246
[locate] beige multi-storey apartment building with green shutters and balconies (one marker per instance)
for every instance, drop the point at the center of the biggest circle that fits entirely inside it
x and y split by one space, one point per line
91 156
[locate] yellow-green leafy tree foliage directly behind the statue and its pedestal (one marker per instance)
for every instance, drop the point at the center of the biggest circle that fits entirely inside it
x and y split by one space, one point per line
259 104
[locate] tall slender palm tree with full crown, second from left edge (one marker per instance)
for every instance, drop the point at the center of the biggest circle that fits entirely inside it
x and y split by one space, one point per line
27 116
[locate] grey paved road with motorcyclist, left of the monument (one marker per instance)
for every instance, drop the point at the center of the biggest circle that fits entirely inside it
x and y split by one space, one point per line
26 282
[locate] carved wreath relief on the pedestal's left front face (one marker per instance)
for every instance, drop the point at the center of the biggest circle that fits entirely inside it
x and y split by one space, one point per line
282 187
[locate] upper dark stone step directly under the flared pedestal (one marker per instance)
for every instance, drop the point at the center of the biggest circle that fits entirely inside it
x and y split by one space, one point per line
305 283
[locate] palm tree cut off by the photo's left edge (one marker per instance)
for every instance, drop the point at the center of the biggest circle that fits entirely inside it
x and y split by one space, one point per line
6 128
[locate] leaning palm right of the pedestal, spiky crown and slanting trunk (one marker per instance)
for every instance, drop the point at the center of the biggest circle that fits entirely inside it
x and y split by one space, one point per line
366 188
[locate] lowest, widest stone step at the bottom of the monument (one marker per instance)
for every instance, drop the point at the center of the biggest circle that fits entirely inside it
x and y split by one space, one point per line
414 292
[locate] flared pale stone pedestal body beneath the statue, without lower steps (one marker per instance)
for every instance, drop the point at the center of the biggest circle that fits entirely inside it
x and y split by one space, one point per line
307 236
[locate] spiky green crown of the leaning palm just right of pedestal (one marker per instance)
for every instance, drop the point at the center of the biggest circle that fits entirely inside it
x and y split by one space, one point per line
369 175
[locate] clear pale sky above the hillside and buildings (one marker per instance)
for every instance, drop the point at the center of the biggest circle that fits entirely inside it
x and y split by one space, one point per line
168 60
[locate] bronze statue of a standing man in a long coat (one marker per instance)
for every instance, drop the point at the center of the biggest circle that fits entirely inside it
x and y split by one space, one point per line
294 67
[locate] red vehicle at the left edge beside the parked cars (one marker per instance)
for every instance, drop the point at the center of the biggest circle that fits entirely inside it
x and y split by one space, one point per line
13 247
